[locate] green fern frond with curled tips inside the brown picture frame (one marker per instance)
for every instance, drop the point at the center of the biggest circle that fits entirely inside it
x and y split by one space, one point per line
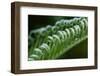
50 42
